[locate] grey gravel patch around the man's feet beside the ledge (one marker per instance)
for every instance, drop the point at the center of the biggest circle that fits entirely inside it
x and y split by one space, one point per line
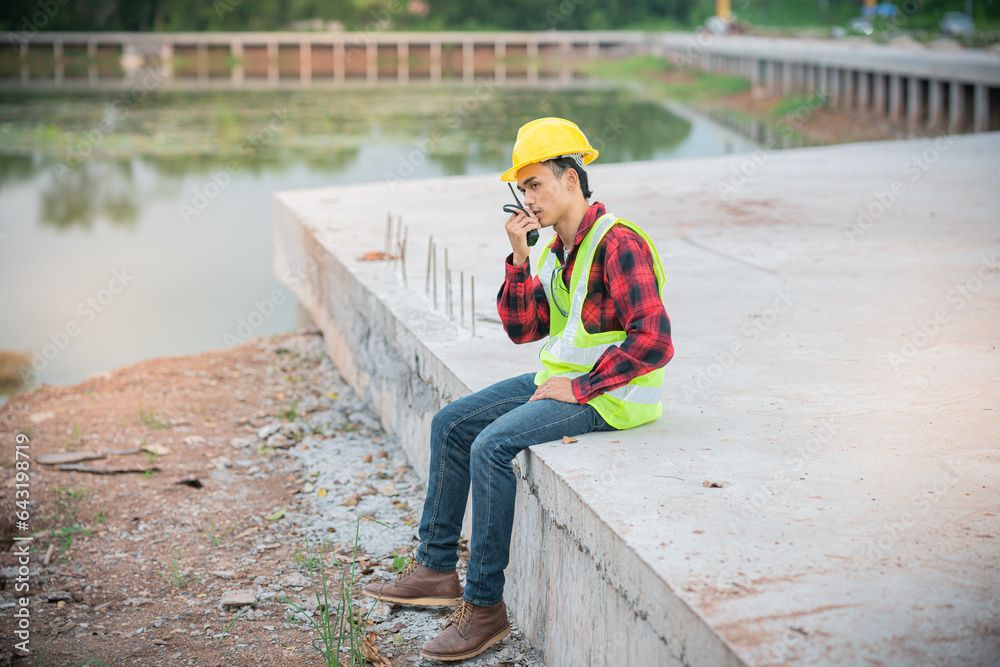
364 473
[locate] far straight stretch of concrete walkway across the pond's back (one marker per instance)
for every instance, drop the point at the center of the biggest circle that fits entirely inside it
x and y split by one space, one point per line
311 58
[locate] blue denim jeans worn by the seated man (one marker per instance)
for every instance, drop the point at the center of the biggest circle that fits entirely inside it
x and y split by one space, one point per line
473 441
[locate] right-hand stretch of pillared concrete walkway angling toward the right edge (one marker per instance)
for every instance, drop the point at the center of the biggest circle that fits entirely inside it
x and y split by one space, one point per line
939 90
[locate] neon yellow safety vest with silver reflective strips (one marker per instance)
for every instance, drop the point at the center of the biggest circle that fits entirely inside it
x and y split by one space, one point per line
572 351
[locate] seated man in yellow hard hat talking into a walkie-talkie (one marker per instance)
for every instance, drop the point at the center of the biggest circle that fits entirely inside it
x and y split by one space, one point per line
597 297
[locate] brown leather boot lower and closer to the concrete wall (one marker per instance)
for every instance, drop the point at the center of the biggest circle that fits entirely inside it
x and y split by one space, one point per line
469 631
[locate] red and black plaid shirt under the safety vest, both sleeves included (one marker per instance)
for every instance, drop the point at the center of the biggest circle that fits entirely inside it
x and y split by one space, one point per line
622 295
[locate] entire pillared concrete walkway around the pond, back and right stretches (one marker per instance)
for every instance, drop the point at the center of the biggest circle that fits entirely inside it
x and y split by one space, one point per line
947 91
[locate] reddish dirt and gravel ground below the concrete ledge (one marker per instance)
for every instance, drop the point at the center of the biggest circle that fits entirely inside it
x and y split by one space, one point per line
262 466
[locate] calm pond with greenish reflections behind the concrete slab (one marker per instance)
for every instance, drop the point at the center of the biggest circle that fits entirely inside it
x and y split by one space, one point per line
119 240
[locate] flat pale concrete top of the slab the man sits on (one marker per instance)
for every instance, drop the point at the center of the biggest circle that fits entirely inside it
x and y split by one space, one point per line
835 315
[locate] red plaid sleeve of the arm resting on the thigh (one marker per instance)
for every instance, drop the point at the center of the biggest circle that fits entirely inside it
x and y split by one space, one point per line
630 280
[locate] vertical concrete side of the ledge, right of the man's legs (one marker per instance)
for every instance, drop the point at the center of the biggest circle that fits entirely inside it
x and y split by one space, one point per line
584 597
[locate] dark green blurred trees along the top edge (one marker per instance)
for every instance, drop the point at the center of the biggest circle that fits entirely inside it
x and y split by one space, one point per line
26 16
